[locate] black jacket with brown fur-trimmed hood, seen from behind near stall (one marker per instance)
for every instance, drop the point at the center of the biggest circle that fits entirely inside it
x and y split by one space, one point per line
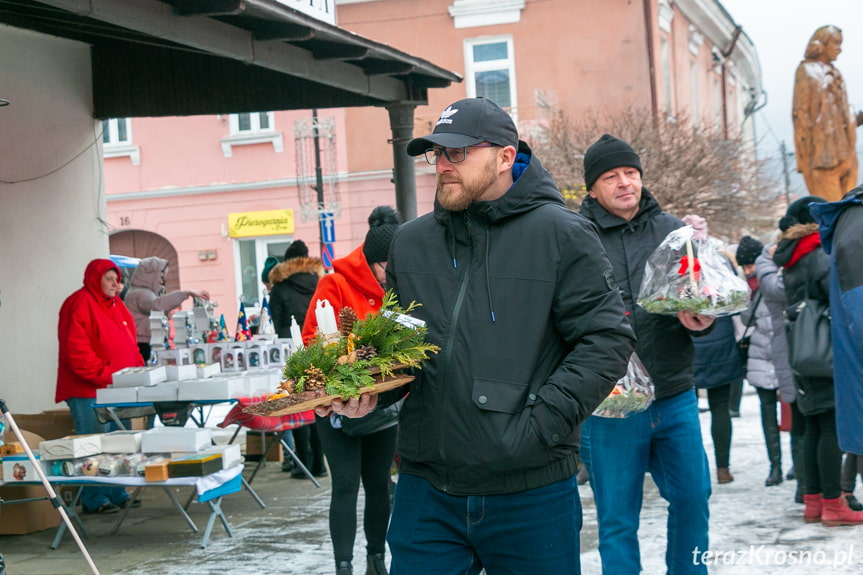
294 283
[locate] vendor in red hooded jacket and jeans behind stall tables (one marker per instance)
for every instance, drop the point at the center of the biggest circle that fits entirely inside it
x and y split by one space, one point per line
97 338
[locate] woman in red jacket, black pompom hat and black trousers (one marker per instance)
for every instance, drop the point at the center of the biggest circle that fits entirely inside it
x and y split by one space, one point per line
357 282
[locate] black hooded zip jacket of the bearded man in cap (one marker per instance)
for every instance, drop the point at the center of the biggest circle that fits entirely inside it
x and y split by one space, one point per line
519 295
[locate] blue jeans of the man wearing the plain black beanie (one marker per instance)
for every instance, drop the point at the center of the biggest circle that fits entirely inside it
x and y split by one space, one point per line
665 440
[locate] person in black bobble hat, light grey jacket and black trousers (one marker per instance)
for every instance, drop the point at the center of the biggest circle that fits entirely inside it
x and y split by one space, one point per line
760 368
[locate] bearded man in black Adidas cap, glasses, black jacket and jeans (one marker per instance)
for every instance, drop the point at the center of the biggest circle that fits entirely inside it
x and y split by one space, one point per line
517 292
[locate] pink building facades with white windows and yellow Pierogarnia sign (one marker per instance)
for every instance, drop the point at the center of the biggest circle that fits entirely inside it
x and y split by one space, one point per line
184 186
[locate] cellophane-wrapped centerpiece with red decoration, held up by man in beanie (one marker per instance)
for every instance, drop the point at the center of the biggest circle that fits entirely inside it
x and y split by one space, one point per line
688 274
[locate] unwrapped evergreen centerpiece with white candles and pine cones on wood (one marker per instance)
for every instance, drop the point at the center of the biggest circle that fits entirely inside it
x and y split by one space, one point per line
363 356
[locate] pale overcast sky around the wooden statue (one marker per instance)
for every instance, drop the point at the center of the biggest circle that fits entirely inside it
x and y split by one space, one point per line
780 30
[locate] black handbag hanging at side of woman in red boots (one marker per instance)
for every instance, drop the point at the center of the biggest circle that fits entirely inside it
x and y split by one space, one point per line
810 344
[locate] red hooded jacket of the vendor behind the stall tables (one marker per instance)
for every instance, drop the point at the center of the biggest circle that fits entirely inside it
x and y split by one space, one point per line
97 337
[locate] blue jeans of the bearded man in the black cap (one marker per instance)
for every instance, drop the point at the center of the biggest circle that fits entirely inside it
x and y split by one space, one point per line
534 531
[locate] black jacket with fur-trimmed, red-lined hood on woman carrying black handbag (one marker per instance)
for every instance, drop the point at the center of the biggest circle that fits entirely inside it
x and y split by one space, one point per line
806 271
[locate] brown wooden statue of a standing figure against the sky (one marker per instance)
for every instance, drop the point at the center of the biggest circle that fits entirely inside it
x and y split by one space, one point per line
824 125
